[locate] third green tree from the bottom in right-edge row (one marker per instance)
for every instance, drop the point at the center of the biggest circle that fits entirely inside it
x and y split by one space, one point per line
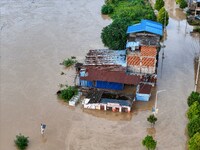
194 110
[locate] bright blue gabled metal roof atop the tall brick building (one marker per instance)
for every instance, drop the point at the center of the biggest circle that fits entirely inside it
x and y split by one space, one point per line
146 26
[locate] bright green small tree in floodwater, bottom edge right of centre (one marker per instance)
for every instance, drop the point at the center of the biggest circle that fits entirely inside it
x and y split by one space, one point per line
149 142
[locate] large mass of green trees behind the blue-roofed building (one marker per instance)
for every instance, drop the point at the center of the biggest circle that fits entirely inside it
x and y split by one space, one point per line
125 13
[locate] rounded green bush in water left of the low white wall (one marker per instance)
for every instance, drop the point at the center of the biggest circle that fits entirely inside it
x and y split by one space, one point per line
67 93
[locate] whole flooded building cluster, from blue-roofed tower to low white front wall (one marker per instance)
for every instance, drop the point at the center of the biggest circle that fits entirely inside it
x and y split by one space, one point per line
113 69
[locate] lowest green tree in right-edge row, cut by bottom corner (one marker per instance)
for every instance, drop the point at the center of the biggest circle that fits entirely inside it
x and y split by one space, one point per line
194 142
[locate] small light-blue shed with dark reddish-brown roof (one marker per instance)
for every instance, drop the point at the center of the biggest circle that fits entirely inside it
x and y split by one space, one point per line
143 92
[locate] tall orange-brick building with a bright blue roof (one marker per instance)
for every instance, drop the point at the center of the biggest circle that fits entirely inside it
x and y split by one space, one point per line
143 45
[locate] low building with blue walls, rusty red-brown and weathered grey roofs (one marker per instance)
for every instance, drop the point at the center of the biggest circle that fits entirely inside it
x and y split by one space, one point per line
106 69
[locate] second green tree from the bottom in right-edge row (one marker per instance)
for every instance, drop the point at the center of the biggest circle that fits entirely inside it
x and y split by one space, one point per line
193 126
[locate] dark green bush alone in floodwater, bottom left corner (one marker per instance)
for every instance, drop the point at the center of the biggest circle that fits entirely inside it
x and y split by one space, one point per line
21 142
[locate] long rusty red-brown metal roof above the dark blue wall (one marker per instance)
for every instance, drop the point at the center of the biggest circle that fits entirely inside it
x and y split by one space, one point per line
94 74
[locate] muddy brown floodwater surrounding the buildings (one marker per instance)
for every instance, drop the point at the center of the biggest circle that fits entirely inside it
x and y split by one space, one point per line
37 35
